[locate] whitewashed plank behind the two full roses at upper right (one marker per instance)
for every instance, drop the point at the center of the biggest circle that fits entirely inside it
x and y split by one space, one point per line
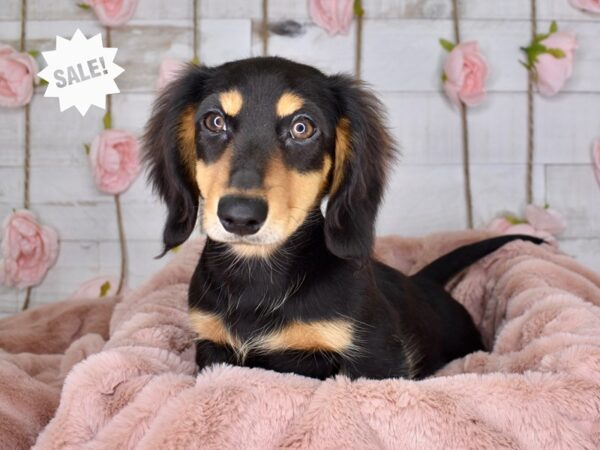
415 62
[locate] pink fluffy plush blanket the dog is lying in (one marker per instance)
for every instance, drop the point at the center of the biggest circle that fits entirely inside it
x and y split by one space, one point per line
537 387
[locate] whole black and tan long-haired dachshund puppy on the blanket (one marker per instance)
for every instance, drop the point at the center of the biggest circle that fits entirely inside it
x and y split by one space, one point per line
262 142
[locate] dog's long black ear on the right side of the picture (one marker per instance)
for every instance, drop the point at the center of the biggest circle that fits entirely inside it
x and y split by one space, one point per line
364 150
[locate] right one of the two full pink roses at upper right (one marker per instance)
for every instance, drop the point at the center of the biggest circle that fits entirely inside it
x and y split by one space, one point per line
552 72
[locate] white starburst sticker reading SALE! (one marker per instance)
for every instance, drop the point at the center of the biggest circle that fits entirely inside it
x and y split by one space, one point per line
80 72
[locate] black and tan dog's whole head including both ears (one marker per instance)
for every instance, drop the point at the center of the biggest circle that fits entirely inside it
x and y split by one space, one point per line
262 141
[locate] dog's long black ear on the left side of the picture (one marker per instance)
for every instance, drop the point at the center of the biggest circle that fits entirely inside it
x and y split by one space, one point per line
170 152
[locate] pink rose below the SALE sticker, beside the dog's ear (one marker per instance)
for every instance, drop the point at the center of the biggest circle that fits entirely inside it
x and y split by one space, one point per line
114 156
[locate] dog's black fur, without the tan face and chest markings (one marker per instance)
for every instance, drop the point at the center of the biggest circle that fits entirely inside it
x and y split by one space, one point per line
402 326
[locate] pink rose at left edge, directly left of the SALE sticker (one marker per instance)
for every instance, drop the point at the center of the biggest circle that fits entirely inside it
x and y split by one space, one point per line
17 75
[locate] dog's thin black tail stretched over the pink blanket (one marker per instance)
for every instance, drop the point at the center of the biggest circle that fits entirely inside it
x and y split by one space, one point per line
443 268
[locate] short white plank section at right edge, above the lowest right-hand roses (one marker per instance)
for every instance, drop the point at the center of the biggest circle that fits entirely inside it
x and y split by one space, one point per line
574 191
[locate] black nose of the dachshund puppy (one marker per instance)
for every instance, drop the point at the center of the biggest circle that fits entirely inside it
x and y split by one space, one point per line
242 215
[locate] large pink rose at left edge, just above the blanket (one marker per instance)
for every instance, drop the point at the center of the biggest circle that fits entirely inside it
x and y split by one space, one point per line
28 250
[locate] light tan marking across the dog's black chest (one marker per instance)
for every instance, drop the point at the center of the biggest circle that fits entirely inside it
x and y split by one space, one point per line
323 335
